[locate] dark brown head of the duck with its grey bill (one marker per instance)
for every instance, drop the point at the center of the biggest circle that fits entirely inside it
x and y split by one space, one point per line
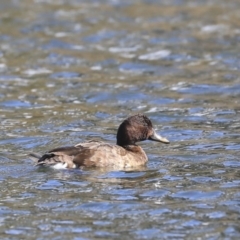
137 128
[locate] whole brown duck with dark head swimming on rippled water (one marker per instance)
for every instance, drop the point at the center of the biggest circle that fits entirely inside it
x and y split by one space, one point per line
124 154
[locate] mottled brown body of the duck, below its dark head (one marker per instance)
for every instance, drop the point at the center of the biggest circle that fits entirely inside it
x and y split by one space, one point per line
94 154
